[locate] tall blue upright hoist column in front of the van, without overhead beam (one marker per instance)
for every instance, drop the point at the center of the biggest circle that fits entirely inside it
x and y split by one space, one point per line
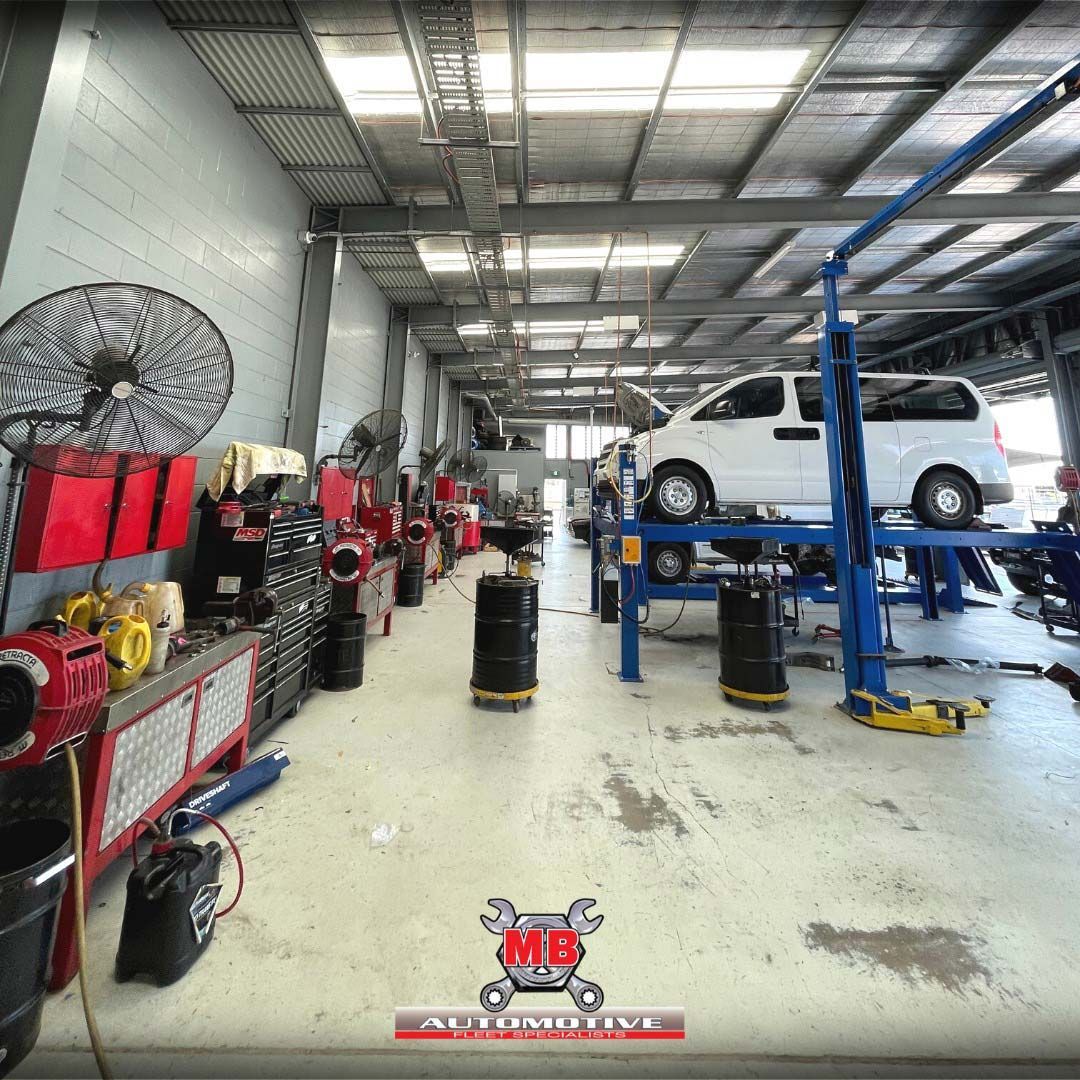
853 526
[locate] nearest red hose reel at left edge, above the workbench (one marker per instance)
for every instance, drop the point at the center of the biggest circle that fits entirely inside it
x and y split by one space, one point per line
53 680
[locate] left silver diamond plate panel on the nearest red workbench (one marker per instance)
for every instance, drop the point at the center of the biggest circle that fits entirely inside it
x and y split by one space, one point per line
150 758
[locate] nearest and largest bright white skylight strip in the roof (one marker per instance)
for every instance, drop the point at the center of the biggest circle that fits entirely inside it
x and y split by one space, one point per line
588 82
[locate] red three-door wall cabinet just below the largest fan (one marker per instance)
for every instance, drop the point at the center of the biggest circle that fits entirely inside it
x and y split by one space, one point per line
66 521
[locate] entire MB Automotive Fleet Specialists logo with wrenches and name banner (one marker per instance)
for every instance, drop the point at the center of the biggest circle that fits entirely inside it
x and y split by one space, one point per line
541 954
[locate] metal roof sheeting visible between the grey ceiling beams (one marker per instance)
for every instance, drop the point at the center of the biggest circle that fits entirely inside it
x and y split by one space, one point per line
897 63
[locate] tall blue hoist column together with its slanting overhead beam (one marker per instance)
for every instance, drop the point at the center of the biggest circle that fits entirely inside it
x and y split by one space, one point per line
853 526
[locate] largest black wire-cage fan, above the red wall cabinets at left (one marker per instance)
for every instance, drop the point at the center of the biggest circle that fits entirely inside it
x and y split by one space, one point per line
110 380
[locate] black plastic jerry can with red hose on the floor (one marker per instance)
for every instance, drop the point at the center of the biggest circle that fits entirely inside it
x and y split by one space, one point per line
170 913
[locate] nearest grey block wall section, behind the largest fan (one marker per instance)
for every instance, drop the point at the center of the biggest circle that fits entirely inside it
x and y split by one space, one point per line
165 185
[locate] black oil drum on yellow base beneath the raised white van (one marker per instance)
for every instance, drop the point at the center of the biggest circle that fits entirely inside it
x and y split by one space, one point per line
751 624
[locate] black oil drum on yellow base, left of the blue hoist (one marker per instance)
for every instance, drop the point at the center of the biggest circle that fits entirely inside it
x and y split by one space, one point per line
505 643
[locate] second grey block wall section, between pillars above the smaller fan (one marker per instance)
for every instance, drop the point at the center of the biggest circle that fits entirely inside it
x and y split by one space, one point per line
356 355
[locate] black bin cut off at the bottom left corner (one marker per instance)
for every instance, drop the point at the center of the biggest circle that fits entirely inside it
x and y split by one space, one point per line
35 857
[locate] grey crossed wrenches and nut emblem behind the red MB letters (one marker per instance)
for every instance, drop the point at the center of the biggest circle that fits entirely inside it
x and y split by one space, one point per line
541 978
